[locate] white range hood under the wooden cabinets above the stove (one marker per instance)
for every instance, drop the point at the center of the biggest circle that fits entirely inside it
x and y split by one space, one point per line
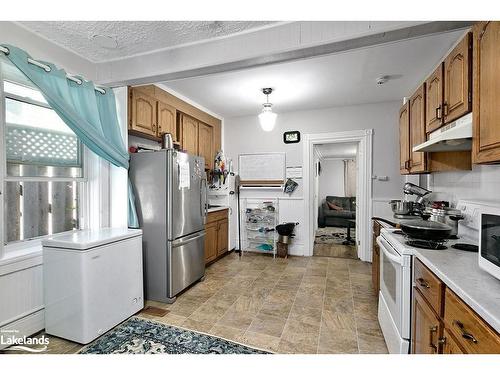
456 136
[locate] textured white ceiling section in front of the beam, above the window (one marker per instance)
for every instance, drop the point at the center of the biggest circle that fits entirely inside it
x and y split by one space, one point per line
133 37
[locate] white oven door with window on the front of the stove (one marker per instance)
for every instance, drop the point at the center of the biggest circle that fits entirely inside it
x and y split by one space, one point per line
395 287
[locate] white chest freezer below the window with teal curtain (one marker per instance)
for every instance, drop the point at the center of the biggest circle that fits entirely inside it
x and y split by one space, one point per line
92 281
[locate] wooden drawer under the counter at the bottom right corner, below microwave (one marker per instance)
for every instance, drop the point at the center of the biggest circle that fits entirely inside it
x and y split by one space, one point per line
471 332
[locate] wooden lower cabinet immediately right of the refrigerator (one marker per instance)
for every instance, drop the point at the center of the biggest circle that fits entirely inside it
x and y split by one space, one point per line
217 232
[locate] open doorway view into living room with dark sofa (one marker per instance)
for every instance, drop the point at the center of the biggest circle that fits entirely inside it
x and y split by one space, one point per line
335 181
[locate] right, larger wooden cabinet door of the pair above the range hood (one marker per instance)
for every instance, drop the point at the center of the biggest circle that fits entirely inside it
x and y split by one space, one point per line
458 80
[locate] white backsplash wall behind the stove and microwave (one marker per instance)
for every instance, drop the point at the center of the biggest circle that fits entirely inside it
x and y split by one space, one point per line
482 183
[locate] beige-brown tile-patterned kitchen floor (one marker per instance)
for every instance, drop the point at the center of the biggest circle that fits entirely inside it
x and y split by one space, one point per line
295 305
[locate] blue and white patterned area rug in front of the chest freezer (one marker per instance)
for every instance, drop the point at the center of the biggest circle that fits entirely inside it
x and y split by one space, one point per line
140 336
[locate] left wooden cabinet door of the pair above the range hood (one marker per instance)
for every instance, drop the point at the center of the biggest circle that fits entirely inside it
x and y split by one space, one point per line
434 100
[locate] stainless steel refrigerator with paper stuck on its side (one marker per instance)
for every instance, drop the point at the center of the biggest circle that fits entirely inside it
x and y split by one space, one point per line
170 190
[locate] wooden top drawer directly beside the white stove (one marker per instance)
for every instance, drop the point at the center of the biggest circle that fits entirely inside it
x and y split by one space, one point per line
430 286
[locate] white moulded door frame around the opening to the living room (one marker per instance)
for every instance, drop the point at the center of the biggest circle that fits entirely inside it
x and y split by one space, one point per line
362 209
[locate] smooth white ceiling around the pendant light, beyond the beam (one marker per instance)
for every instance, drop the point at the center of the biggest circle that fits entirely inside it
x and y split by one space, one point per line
342 79
